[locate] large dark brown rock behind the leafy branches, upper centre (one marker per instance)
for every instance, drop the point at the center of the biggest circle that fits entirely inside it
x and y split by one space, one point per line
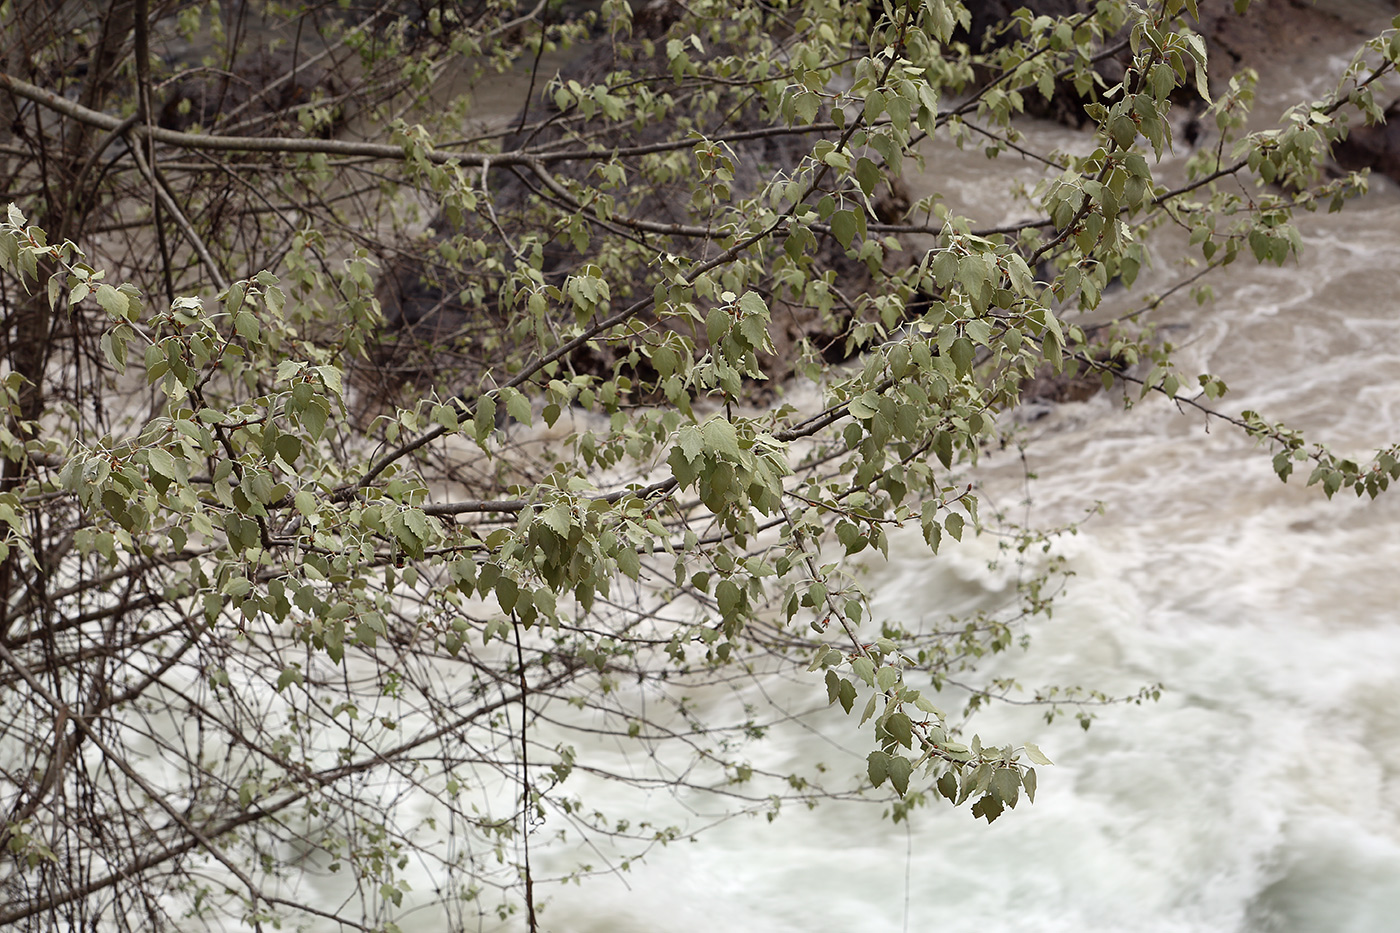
430 326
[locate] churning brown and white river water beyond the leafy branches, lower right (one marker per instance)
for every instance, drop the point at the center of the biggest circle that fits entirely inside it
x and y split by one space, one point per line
1263 792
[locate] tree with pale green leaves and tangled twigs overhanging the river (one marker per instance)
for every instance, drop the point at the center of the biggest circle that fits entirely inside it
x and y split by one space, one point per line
257 595
